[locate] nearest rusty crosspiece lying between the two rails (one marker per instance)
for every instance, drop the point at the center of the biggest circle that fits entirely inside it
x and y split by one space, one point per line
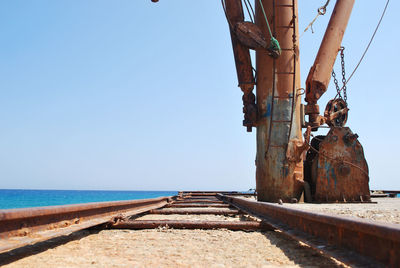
231 225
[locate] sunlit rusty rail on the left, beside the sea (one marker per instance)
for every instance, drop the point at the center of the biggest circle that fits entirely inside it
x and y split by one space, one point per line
21 227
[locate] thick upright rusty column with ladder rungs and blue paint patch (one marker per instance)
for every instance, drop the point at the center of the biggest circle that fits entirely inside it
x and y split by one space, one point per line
278 103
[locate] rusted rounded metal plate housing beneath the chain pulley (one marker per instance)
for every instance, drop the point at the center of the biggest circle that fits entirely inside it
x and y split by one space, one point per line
339 172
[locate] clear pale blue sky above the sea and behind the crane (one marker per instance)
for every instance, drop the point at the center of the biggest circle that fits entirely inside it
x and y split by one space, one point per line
133 95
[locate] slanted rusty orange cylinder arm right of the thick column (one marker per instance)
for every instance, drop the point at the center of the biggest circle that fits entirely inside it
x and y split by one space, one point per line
320 73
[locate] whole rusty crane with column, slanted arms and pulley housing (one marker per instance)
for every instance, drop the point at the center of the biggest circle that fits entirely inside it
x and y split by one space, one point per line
337 171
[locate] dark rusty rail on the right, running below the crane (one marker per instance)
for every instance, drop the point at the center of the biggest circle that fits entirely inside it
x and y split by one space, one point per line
361 239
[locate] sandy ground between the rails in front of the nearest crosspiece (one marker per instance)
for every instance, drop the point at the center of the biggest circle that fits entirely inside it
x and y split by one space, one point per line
178 248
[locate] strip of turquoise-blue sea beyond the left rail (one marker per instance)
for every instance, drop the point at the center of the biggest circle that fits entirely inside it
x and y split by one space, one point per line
39 198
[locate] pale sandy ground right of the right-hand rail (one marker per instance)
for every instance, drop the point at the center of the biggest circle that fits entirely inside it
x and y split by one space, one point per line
386 210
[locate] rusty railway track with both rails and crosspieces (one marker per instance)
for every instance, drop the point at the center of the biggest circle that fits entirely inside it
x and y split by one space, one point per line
349 240
